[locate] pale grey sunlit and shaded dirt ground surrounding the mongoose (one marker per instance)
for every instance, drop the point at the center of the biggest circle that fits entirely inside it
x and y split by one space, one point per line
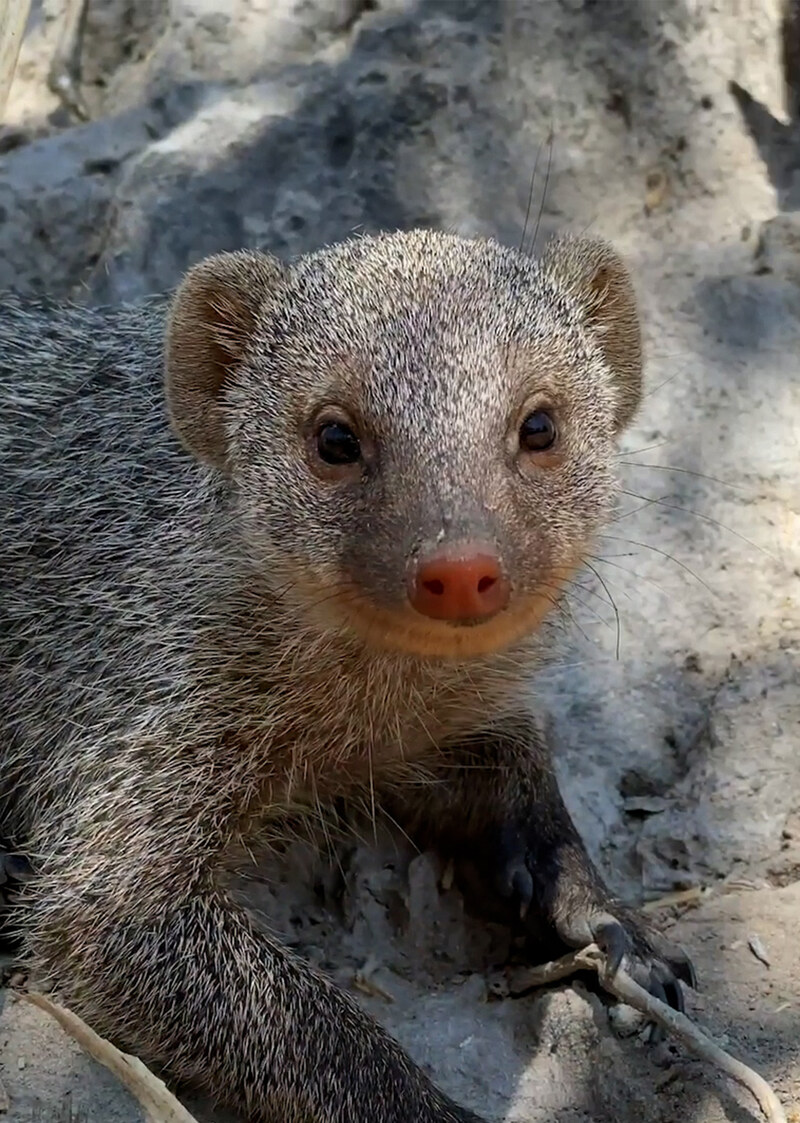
676 697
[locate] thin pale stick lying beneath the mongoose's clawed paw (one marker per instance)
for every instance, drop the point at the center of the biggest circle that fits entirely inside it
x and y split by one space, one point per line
624 989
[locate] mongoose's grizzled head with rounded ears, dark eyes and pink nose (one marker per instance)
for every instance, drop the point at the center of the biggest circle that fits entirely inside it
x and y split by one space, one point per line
419 431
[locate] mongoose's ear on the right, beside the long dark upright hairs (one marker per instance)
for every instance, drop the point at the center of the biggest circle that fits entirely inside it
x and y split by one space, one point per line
596 276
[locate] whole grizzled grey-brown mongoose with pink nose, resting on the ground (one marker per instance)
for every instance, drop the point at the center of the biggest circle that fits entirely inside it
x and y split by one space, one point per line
317 568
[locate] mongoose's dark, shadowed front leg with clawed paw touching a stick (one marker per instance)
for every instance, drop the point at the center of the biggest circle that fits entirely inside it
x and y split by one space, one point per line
495 809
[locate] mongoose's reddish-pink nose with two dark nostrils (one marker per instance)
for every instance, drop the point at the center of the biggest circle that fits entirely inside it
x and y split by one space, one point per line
460 586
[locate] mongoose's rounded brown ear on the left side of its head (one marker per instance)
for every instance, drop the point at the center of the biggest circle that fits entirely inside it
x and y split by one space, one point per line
211 325
